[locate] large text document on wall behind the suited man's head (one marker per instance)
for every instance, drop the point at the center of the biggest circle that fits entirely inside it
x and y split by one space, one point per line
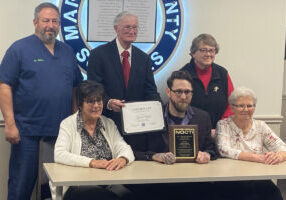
101 14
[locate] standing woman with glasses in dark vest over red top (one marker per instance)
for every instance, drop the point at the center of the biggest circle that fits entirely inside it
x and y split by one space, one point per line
212 83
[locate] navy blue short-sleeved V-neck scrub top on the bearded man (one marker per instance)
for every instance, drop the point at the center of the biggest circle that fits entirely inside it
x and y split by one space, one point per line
41 84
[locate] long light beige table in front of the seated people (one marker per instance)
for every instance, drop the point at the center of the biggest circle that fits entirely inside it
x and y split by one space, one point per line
153 172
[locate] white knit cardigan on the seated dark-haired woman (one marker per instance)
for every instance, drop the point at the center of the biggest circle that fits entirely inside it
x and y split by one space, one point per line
68 145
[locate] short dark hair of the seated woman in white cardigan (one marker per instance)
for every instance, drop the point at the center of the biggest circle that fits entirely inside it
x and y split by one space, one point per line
88 89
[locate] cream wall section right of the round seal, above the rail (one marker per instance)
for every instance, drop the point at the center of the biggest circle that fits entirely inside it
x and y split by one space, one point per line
251 35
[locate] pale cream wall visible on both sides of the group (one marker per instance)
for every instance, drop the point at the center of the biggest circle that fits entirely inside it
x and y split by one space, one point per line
251 35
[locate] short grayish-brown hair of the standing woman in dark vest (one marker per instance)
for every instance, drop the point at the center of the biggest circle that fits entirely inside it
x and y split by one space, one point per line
205 38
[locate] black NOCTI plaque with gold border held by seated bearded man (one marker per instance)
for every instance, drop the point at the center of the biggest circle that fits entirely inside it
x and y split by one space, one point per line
183 142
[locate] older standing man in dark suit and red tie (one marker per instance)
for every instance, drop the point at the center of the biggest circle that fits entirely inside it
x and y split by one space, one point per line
107 65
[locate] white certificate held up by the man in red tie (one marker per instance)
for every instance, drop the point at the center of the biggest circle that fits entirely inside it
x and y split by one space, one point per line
143 116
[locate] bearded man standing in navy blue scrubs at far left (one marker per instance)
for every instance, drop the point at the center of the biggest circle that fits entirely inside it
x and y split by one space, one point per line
37 77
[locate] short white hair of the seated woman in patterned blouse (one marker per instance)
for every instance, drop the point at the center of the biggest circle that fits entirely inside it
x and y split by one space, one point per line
241 92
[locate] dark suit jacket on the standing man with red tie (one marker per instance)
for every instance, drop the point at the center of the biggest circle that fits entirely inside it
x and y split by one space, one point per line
104 66
